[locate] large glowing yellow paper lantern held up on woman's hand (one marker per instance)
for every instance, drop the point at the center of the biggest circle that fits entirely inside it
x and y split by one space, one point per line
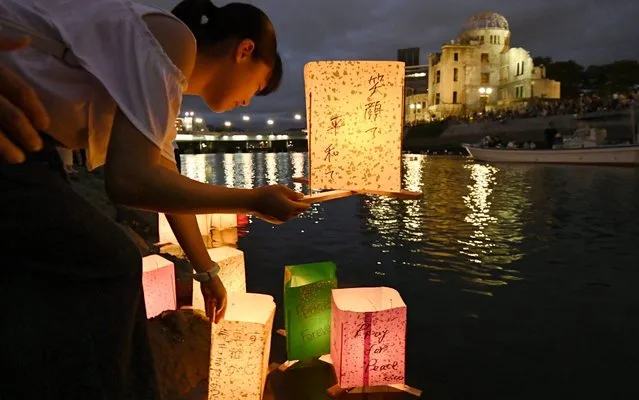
354 113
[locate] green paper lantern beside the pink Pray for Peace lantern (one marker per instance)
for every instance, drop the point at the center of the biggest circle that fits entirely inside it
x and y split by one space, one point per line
307 309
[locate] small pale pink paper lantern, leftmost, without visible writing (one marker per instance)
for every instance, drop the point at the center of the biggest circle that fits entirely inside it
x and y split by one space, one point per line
158 281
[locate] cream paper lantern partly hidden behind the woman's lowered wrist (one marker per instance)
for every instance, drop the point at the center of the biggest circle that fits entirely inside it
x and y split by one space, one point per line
232 273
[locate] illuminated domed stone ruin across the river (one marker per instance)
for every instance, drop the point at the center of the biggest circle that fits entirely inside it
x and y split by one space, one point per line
481 72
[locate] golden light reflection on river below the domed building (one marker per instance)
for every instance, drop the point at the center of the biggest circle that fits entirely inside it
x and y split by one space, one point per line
468 223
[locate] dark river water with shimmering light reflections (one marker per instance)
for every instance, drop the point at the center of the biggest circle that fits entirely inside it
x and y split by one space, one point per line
521 281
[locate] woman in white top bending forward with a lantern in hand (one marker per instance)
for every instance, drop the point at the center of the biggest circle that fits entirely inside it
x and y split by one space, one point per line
114 87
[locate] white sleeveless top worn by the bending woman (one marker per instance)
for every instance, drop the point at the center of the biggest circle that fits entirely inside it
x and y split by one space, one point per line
123 66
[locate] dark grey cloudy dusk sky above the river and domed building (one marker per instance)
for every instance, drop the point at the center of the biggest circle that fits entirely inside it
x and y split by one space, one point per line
588 31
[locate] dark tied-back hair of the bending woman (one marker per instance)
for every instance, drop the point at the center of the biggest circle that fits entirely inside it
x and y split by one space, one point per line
212 25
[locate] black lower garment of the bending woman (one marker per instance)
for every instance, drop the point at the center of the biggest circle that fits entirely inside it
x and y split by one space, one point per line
73 317
